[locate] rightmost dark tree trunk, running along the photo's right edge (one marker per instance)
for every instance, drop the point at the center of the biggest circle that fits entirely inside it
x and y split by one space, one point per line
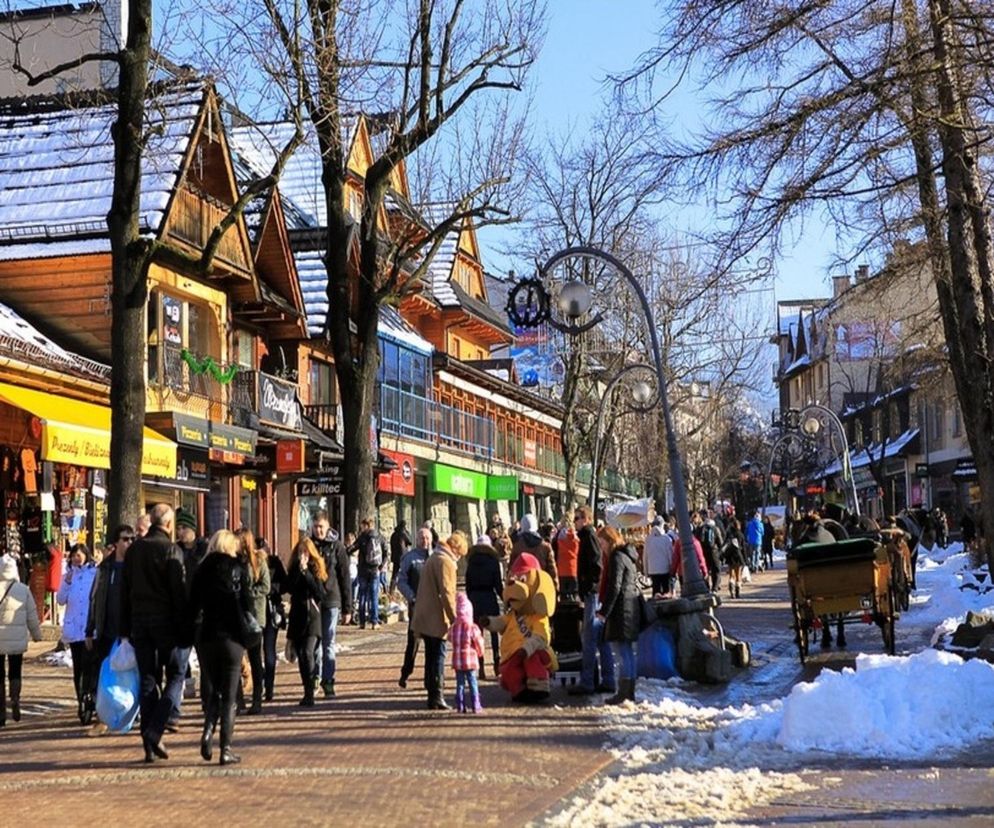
968 319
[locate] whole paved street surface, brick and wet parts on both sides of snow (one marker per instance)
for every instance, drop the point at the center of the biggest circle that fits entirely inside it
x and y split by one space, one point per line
374 754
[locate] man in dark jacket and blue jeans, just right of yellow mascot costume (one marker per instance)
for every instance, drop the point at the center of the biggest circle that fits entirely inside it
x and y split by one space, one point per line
588 575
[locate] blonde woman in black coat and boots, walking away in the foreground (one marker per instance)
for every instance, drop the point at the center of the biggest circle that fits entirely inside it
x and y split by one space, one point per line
219 594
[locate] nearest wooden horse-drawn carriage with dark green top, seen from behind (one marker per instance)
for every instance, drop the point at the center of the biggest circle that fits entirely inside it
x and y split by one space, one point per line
847 581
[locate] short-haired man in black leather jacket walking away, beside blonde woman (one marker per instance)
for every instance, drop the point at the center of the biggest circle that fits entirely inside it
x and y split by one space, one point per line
153 616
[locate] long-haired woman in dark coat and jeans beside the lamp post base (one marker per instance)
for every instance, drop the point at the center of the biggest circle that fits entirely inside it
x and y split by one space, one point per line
622 613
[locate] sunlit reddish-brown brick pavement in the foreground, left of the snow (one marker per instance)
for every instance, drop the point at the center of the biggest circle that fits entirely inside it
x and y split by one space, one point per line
372 754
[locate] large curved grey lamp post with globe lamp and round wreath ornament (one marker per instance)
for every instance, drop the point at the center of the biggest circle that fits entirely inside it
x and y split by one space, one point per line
576 301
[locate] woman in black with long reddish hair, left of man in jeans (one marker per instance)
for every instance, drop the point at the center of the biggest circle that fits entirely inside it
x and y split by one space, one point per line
306 577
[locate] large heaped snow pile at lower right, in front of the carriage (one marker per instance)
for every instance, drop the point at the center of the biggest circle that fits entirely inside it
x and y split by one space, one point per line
902 707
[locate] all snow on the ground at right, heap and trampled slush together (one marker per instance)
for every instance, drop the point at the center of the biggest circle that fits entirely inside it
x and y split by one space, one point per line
679 761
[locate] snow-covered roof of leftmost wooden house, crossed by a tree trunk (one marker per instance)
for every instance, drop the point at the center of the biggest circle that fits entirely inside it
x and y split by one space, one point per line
57 169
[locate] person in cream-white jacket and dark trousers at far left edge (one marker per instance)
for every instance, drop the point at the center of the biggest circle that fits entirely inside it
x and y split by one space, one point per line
18 617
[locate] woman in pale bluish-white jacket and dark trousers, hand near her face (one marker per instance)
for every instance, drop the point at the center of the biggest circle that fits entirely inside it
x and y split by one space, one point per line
74 594
